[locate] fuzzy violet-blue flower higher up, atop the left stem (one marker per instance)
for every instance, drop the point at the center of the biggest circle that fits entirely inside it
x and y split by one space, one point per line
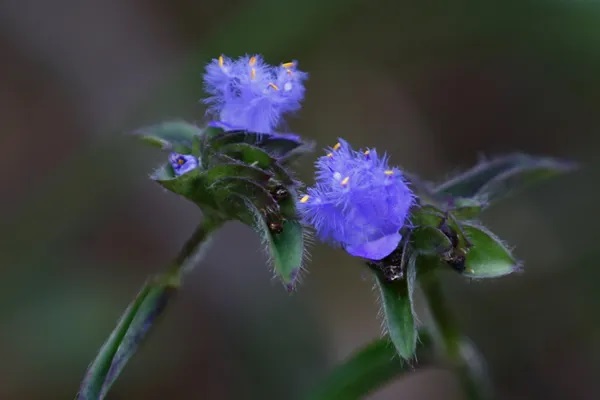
248 94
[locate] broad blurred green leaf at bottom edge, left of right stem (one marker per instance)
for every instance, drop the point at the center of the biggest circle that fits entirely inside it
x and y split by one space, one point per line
369 369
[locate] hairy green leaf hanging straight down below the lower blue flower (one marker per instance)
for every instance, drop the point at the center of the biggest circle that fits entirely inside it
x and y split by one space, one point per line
398 310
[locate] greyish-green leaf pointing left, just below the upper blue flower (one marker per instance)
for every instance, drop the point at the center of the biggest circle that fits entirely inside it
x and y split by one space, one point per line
178 136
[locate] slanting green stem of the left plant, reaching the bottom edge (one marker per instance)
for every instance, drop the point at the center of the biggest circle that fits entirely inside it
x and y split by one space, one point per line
140 316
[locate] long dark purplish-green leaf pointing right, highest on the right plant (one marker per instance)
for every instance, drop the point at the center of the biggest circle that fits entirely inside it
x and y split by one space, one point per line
504 174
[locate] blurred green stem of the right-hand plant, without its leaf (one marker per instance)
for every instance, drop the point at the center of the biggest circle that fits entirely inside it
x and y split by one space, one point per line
459 352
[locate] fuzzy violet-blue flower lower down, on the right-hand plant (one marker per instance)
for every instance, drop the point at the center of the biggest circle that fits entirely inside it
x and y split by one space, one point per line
358 202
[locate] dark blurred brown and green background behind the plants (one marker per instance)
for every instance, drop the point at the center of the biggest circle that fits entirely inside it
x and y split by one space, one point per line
437 84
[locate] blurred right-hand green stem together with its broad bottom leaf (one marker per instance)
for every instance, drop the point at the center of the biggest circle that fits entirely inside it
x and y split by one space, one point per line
377 364
